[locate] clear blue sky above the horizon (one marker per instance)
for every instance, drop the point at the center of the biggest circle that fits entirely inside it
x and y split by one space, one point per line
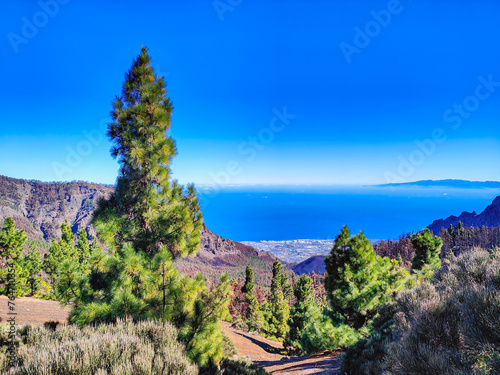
366 86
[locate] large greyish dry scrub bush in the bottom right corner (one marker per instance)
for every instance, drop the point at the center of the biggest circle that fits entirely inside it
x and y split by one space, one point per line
451 326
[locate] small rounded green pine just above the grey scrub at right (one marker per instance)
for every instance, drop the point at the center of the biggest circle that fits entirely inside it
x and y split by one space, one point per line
427 249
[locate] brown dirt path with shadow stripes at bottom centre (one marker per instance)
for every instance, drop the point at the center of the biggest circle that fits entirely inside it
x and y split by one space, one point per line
252 347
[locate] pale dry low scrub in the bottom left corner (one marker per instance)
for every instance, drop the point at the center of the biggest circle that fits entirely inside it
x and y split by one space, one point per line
127 348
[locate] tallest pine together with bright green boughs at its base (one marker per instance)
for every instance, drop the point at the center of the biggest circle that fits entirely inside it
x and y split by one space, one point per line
148 222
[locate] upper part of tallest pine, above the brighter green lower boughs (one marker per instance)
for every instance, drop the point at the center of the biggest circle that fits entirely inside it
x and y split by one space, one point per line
148 209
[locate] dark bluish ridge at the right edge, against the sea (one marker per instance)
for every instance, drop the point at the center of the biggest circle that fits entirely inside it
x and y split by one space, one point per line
490 217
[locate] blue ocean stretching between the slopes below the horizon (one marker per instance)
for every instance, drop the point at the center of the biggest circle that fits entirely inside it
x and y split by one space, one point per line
254 213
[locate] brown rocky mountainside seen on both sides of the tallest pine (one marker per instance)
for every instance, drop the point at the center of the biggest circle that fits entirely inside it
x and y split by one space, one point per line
41 207
